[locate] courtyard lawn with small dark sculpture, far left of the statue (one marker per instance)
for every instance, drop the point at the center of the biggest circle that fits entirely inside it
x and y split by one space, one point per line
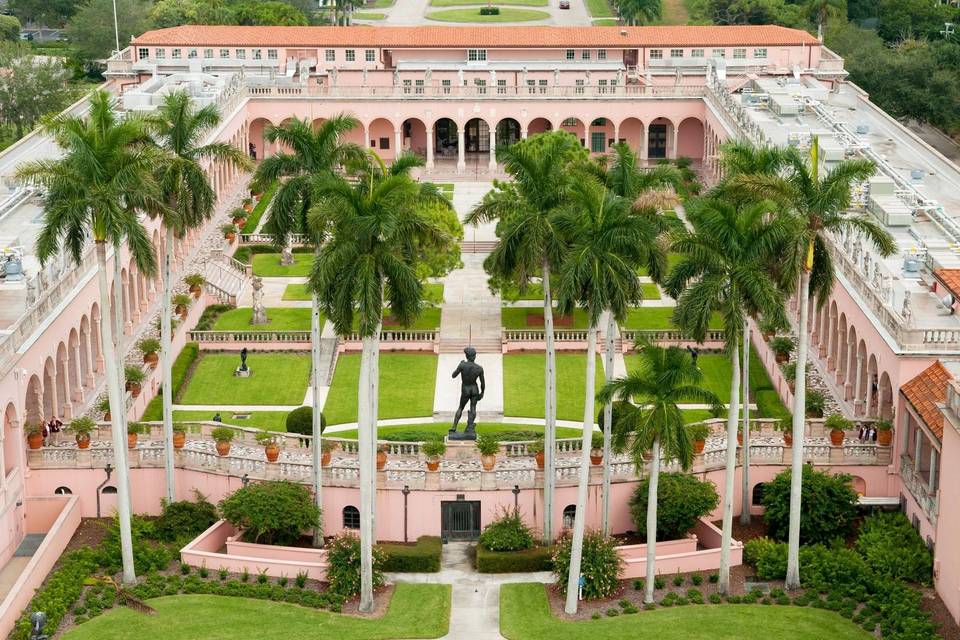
278 378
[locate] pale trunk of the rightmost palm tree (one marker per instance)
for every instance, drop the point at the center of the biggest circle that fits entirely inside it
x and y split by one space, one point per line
799 415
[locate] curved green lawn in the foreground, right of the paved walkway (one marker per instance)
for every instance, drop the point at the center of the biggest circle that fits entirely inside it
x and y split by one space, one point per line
525 615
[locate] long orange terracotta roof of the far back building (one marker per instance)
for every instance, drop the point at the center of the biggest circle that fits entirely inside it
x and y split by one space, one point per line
457 37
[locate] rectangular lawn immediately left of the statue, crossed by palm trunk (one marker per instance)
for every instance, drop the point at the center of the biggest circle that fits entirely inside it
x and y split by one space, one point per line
407 384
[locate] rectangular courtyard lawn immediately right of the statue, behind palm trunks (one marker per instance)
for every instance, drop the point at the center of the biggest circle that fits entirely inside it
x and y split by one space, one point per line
523 394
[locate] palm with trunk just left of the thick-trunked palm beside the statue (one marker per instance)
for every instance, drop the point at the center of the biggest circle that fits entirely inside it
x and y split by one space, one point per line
314 155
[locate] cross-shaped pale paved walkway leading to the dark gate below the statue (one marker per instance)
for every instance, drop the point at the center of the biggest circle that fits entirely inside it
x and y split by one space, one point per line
475 600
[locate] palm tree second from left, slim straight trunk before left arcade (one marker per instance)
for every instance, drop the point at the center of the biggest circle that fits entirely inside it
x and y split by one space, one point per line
179 130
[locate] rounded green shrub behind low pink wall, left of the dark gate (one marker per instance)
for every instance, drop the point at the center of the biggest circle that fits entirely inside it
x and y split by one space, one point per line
275 512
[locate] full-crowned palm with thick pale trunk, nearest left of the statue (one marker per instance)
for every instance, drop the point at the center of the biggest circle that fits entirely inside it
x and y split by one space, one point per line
377 229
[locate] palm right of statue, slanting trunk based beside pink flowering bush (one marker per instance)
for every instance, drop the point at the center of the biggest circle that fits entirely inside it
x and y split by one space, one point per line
609 242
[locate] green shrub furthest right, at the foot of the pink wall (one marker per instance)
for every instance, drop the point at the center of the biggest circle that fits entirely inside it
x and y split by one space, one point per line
893 548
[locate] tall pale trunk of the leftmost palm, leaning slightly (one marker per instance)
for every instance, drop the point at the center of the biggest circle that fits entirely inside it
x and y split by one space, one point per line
117 412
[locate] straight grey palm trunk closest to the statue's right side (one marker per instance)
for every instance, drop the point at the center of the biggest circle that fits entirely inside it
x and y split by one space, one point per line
549 409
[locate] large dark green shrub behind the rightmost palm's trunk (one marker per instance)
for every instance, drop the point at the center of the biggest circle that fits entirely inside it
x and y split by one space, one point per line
829 506
